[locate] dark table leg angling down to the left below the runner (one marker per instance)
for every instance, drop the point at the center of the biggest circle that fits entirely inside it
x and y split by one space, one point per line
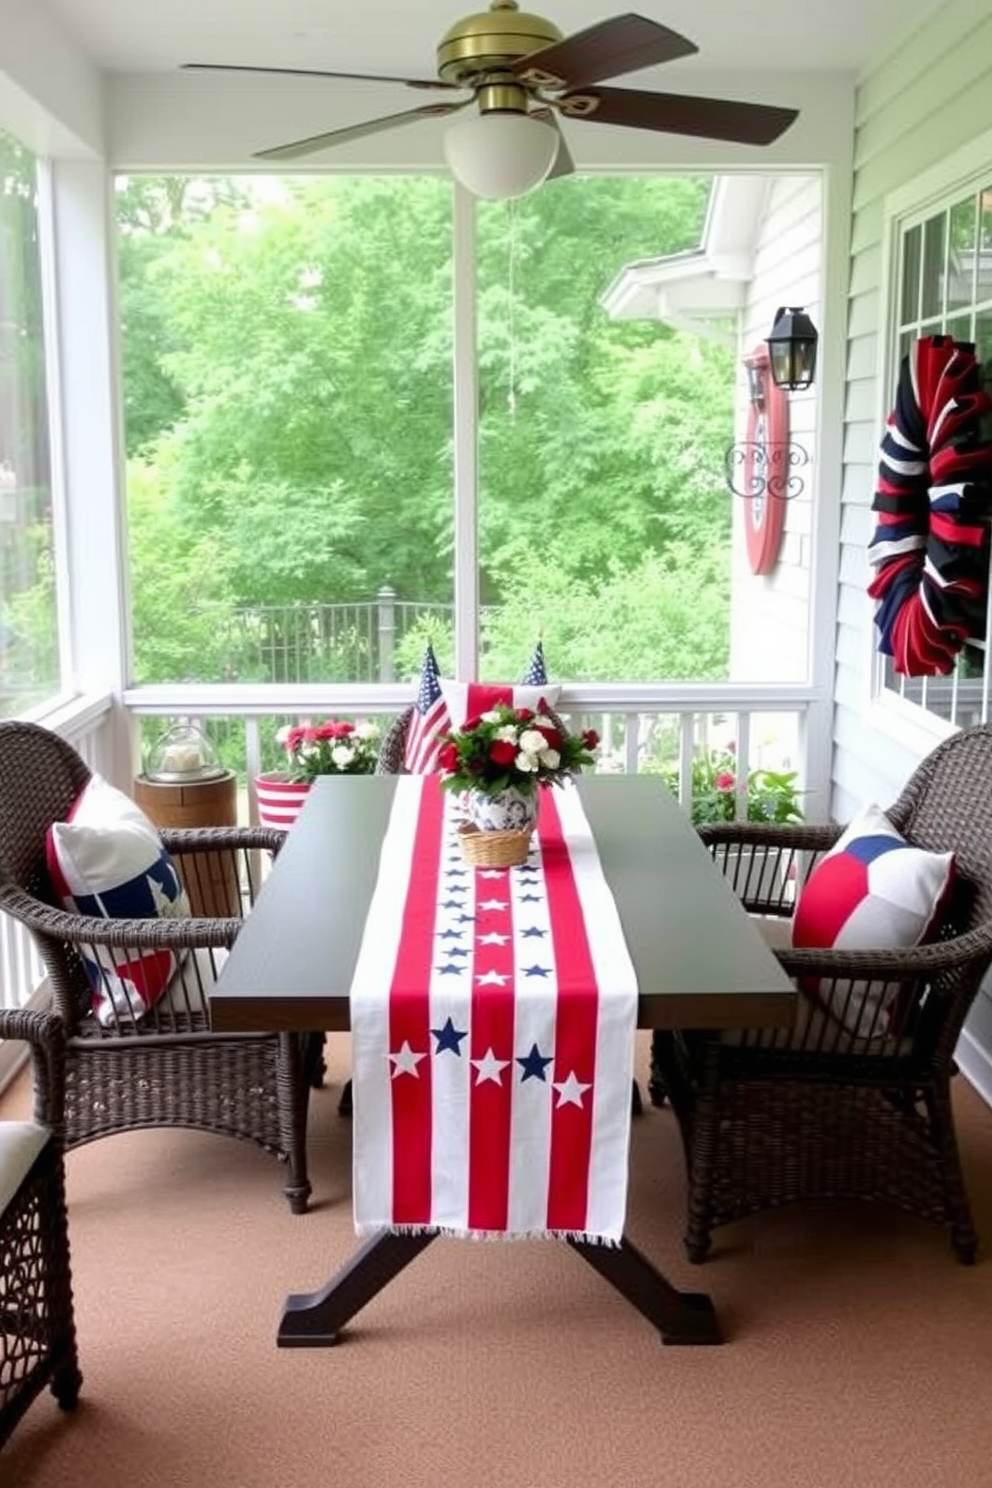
315 1319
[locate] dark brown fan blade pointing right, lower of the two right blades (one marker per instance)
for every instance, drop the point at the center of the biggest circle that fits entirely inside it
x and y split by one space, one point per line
677 114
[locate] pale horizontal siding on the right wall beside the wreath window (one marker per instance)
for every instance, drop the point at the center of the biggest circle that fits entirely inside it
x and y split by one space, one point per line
929 99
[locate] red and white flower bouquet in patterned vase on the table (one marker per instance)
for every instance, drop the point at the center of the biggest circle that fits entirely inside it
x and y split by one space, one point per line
503 757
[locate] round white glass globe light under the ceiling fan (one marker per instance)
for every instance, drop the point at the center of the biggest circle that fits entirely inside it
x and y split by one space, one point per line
500 154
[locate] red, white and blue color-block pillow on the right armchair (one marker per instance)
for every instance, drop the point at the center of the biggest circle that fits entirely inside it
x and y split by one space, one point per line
874 891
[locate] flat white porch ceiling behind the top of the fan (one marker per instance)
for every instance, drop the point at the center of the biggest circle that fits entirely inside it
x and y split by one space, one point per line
398 36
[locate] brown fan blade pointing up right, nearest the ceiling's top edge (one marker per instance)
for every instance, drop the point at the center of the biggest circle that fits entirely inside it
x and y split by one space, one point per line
609 50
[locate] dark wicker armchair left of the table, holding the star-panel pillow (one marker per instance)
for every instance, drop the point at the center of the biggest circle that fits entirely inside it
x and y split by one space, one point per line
164 1069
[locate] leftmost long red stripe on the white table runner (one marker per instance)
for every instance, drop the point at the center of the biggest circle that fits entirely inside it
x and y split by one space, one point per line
410 1019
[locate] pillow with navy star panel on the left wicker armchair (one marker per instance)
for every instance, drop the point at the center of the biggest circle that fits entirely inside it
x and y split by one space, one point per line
108 861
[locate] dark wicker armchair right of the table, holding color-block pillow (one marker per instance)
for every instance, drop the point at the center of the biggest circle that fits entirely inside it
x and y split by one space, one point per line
819 1112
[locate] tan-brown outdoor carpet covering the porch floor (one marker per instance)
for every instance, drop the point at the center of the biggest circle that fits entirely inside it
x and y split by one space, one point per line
859 1352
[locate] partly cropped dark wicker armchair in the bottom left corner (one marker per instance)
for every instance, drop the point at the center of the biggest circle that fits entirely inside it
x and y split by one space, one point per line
38 1333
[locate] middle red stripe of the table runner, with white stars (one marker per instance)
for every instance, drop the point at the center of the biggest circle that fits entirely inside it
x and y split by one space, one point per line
492 1100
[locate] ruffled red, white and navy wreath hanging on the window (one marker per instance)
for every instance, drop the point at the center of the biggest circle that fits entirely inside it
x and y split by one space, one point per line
930 550
